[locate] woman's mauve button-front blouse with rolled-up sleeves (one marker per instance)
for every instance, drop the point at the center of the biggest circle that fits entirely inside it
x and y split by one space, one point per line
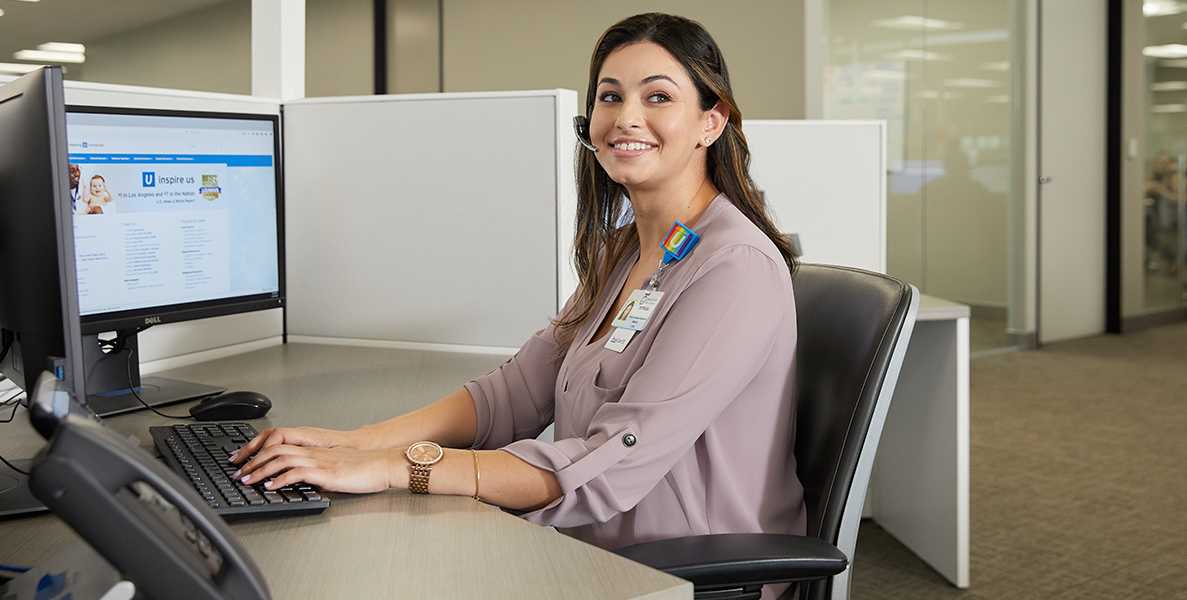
690 430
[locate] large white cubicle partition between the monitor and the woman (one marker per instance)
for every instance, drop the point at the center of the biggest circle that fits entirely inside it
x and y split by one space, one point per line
428 222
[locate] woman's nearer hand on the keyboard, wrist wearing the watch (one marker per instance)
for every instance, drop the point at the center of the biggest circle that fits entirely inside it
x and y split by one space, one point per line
335 470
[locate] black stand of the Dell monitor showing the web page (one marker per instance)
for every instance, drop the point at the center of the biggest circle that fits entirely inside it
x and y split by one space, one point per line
113 372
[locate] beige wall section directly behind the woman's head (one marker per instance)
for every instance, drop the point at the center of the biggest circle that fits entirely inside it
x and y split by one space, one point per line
537 45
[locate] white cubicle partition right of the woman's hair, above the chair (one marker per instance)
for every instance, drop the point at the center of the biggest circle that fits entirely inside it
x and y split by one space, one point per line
826 181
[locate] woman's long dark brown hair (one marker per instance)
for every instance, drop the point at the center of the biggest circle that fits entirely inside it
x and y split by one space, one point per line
600 244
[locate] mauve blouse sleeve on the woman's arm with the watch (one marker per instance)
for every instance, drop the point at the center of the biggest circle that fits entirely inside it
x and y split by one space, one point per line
710 346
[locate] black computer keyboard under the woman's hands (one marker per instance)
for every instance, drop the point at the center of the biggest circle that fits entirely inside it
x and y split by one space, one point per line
199 453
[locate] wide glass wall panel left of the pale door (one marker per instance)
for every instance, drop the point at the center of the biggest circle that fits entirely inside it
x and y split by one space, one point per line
940 74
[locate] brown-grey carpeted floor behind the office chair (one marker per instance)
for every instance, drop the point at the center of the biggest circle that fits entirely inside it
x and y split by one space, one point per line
1078 478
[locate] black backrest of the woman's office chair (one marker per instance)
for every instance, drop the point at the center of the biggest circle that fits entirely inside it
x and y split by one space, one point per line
849 323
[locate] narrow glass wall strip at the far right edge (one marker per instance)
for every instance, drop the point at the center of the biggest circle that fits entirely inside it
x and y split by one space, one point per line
1166 155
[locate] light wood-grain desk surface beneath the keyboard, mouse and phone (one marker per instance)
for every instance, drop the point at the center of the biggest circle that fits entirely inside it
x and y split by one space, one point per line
390 545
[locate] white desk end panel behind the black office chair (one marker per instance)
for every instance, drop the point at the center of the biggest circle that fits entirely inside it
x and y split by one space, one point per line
919 490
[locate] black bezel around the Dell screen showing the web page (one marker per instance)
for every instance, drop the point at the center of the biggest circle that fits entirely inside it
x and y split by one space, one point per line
143 318
